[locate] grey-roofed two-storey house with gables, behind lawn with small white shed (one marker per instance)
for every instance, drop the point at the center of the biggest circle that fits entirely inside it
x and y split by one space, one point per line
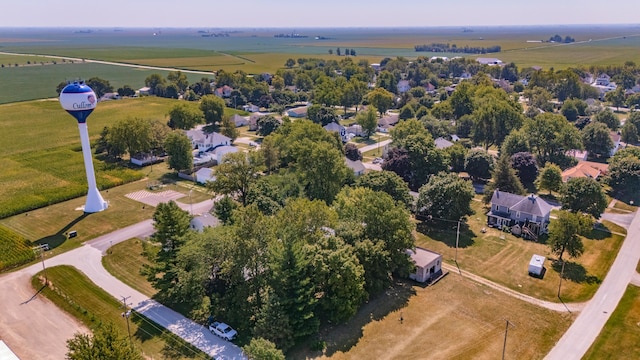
526 215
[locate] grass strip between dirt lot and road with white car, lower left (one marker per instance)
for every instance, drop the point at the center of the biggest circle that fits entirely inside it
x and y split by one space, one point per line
90 304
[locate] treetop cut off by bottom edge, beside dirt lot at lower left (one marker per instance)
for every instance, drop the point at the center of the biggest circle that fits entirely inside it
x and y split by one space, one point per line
105 343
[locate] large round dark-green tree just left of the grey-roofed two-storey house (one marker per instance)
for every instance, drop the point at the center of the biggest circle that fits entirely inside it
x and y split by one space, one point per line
446 196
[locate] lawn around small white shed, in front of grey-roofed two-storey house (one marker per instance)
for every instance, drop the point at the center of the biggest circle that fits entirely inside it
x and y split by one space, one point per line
504 258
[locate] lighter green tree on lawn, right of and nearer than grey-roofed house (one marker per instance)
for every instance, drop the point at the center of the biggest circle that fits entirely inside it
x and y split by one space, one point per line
565 232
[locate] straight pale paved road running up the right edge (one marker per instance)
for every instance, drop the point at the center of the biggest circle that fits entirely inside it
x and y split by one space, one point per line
584 330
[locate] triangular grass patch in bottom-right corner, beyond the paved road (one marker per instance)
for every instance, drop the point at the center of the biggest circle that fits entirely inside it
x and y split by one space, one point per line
621 333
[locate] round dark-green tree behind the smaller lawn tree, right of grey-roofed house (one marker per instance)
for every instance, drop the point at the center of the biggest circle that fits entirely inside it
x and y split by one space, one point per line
584 195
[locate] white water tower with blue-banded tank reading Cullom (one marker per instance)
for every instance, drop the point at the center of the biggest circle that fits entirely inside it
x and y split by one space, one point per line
79 101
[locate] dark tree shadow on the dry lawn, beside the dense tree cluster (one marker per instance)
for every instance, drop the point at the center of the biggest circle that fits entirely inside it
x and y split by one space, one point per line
345 336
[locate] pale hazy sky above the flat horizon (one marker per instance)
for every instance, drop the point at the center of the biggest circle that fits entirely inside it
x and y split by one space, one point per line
322 13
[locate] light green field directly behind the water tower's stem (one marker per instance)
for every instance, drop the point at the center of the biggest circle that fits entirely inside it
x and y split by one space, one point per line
42 160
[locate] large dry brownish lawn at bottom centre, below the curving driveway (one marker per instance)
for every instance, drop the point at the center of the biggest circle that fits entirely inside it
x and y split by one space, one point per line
454 319
